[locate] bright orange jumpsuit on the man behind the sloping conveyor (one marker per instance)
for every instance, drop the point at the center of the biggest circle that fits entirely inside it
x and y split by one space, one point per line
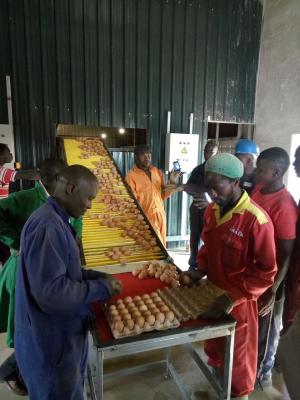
151 197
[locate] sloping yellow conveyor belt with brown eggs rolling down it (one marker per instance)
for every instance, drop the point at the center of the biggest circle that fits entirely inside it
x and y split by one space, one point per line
115 231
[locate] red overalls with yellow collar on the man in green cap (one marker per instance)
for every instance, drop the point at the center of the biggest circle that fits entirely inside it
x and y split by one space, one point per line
239 256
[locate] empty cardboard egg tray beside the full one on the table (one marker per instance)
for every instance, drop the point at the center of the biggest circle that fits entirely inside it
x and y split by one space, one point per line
190 302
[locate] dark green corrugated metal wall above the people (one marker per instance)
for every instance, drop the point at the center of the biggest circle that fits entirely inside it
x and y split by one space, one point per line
125 63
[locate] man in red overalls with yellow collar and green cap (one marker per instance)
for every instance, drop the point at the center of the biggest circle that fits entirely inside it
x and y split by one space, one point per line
238 256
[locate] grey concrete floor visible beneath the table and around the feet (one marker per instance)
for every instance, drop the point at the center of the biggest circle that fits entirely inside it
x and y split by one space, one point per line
152 385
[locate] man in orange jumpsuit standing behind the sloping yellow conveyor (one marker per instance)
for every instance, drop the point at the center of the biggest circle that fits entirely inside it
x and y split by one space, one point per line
147 184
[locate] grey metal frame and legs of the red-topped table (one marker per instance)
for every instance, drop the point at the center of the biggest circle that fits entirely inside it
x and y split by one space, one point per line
184 335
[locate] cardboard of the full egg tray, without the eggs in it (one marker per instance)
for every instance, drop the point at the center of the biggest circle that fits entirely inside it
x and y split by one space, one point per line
137 330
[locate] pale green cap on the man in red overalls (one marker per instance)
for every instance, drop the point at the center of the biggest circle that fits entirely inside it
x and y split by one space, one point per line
225 164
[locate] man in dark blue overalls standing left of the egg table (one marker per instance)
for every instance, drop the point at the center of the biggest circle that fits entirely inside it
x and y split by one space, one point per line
53 293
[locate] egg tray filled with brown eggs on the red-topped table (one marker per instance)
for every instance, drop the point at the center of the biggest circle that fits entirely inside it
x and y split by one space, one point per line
133 309
